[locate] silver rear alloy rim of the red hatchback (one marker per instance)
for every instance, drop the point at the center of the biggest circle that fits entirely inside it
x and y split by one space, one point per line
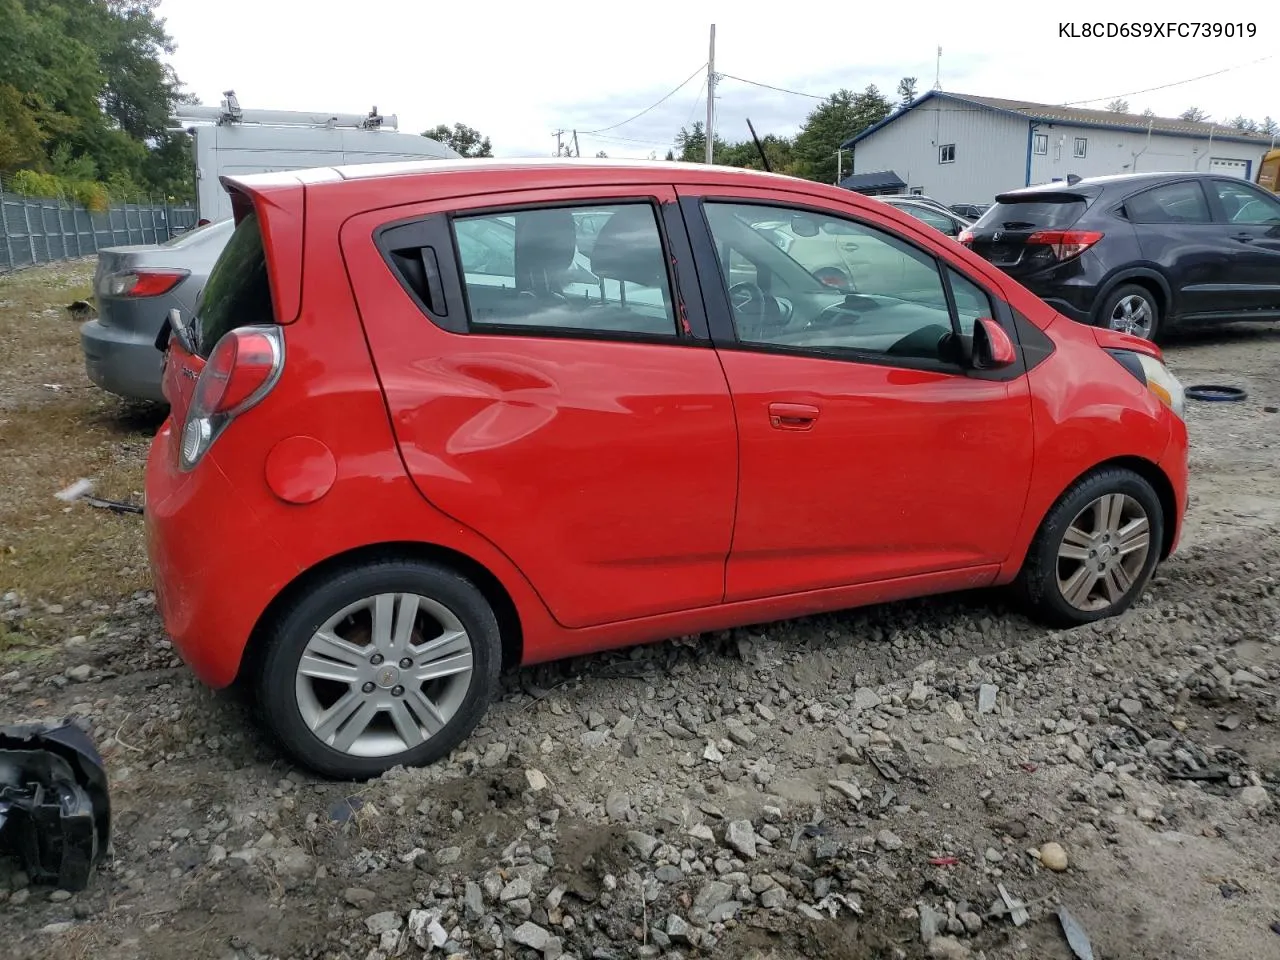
385 675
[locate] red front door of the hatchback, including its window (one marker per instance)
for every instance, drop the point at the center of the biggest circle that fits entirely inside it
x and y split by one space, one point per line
866 455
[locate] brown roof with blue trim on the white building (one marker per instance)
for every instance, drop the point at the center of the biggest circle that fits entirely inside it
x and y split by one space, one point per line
1071 116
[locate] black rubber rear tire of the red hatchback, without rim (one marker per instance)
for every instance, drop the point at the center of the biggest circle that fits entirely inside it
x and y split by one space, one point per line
277 678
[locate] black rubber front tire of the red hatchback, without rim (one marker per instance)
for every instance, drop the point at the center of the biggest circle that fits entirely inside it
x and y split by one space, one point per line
1039 582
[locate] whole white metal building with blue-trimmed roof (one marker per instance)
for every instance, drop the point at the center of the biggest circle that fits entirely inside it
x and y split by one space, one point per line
964 149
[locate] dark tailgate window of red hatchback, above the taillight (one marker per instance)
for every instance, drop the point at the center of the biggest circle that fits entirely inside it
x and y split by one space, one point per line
239 292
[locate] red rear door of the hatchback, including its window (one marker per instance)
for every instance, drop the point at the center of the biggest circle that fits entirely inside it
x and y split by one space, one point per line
583 428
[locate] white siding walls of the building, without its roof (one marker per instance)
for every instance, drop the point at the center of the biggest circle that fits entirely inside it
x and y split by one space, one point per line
991 153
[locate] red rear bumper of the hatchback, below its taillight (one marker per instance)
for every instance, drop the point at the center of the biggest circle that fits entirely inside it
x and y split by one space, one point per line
213 580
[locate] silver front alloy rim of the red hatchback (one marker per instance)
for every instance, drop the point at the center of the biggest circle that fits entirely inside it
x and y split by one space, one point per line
1104 552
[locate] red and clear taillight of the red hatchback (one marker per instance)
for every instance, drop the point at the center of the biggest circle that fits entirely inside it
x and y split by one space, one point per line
244 368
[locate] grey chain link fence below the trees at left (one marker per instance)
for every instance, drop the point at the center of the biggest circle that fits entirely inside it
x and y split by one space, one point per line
36 231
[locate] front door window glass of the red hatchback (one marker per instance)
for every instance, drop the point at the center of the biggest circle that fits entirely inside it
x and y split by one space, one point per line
834 286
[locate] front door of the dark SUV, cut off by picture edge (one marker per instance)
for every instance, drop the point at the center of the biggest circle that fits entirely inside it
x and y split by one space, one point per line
1250 220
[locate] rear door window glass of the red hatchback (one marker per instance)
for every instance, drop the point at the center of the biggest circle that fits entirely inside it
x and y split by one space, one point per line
528 271
